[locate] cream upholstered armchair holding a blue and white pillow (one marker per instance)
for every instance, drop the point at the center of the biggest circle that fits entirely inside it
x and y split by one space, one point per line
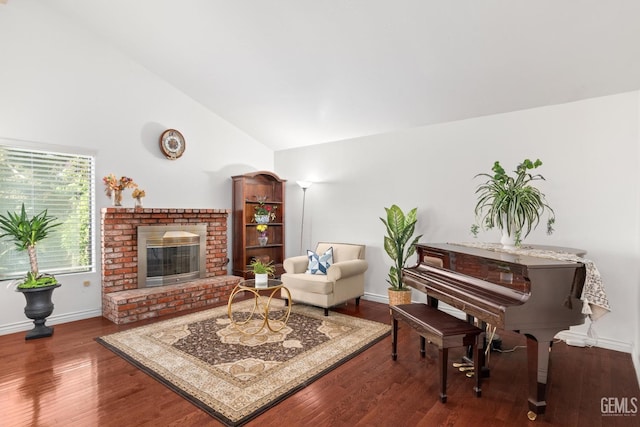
344 279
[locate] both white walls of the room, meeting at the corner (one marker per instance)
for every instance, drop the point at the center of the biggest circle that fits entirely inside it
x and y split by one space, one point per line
61 86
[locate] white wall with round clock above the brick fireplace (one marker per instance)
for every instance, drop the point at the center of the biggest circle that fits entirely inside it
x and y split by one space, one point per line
61 86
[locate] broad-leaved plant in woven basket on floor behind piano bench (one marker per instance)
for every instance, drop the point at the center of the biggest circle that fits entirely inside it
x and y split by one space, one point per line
399 245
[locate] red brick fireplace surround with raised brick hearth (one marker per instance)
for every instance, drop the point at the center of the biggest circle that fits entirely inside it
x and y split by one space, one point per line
123 301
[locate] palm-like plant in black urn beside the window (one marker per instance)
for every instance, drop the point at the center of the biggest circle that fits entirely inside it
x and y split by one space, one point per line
36 287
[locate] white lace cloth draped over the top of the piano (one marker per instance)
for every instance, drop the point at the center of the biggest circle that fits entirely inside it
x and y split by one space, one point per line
594 298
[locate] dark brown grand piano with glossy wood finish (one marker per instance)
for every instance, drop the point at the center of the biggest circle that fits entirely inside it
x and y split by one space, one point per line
536 297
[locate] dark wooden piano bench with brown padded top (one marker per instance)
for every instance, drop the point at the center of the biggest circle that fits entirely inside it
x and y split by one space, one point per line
442 330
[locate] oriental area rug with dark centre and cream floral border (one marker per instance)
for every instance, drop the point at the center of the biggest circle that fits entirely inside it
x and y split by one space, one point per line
235 376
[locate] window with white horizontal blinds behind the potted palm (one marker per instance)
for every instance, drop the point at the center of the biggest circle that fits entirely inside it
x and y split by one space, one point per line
62 184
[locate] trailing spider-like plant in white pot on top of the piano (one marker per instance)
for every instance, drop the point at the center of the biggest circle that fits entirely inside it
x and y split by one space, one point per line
511 204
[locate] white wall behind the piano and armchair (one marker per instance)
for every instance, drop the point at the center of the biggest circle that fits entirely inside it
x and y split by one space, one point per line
591 162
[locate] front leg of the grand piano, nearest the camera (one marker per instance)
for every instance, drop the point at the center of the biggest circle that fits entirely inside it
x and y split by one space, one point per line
537 369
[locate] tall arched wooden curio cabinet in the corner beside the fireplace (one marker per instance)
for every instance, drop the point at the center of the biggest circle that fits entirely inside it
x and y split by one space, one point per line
248 191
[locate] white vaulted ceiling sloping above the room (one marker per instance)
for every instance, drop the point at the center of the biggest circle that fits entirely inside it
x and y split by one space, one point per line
299 72
